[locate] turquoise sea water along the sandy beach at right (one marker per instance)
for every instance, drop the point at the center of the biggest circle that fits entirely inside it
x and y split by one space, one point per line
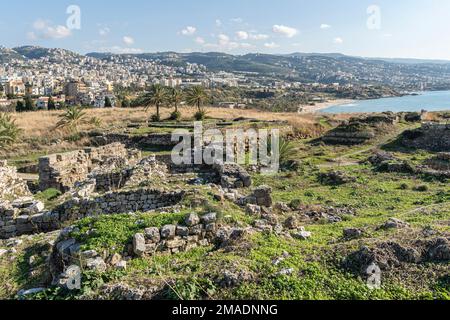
430 101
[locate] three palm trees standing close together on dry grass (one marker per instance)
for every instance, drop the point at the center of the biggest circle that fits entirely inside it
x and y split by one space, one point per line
159 96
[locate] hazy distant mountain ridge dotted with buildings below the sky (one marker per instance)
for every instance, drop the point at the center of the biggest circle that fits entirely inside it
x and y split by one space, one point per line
303 67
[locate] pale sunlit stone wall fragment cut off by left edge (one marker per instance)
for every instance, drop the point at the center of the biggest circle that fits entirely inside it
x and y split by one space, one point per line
11 185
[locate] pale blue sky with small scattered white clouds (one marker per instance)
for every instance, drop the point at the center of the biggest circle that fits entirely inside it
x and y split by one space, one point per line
383 28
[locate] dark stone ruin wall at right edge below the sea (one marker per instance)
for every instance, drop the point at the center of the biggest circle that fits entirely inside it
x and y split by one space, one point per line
431 136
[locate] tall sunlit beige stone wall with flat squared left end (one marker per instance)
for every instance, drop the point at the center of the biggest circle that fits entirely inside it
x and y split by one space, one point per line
62 171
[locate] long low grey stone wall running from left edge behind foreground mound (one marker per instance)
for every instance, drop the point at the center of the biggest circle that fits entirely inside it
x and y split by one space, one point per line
27 216
